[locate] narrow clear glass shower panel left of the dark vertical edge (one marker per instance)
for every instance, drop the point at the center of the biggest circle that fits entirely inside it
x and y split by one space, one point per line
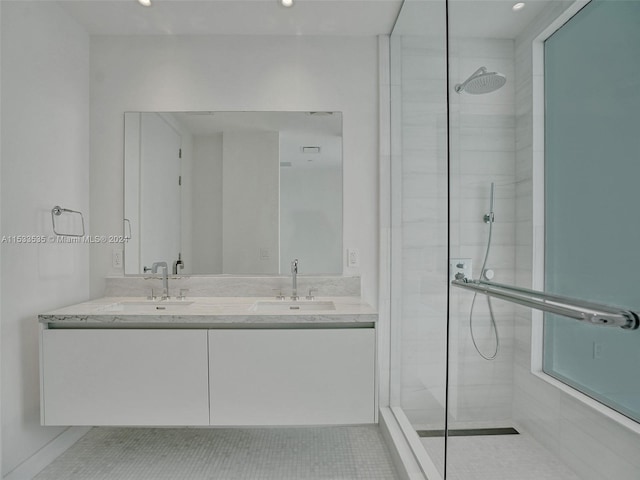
419 223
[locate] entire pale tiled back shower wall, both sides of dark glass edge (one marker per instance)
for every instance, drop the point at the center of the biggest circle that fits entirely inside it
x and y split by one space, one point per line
482 151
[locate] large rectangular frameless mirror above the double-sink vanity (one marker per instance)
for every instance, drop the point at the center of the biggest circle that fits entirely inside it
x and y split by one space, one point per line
233 192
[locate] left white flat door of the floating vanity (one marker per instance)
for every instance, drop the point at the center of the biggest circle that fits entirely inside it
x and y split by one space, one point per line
124 377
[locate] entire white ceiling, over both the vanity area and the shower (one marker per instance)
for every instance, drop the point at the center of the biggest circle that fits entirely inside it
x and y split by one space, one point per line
469 18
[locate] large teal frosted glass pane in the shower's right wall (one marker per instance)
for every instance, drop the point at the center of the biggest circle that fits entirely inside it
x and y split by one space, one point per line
592 222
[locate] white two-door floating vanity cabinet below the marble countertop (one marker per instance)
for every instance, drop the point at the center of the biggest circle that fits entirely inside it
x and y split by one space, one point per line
225 376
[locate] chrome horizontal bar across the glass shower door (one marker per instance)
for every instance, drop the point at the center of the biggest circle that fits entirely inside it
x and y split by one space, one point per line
585 311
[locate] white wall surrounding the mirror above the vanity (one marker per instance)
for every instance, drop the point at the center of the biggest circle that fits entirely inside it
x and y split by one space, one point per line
181 73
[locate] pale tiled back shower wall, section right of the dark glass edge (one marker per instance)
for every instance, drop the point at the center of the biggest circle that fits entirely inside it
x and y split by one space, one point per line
482 152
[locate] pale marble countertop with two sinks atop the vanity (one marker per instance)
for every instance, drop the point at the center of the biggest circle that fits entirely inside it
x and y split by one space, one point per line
210 311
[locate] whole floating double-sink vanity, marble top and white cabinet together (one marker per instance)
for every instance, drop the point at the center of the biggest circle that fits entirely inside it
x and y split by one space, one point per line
208 361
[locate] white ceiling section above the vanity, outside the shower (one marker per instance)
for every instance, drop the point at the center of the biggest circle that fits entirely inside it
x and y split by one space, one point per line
235 17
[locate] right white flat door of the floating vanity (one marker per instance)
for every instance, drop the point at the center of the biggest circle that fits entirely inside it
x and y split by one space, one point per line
292 377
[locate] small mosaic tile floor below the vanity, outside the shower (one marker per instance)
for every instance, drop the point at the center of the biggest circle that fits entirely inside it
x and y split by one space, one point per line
305 453
